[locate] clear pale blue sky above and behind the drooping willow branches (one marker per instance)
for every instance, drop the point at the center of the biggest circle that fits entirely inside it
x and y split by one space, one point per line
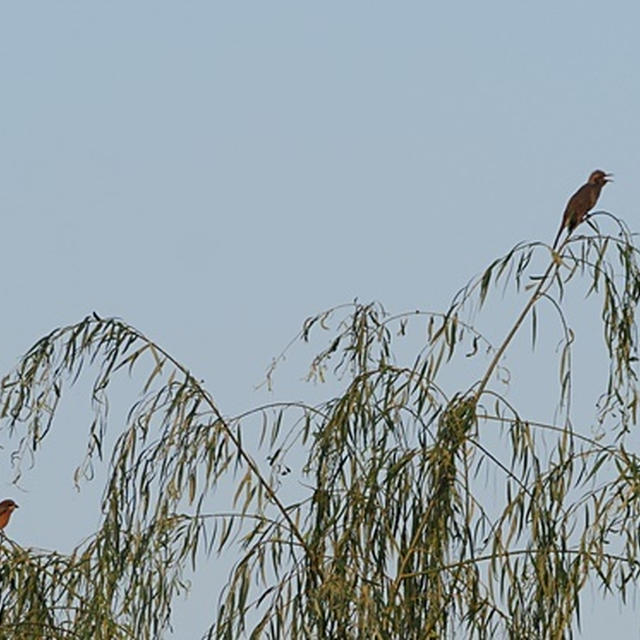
214 173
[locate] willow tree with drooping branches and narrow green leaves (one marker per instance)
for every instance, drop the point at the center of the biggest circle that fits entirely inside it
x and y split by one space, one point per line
389 530
